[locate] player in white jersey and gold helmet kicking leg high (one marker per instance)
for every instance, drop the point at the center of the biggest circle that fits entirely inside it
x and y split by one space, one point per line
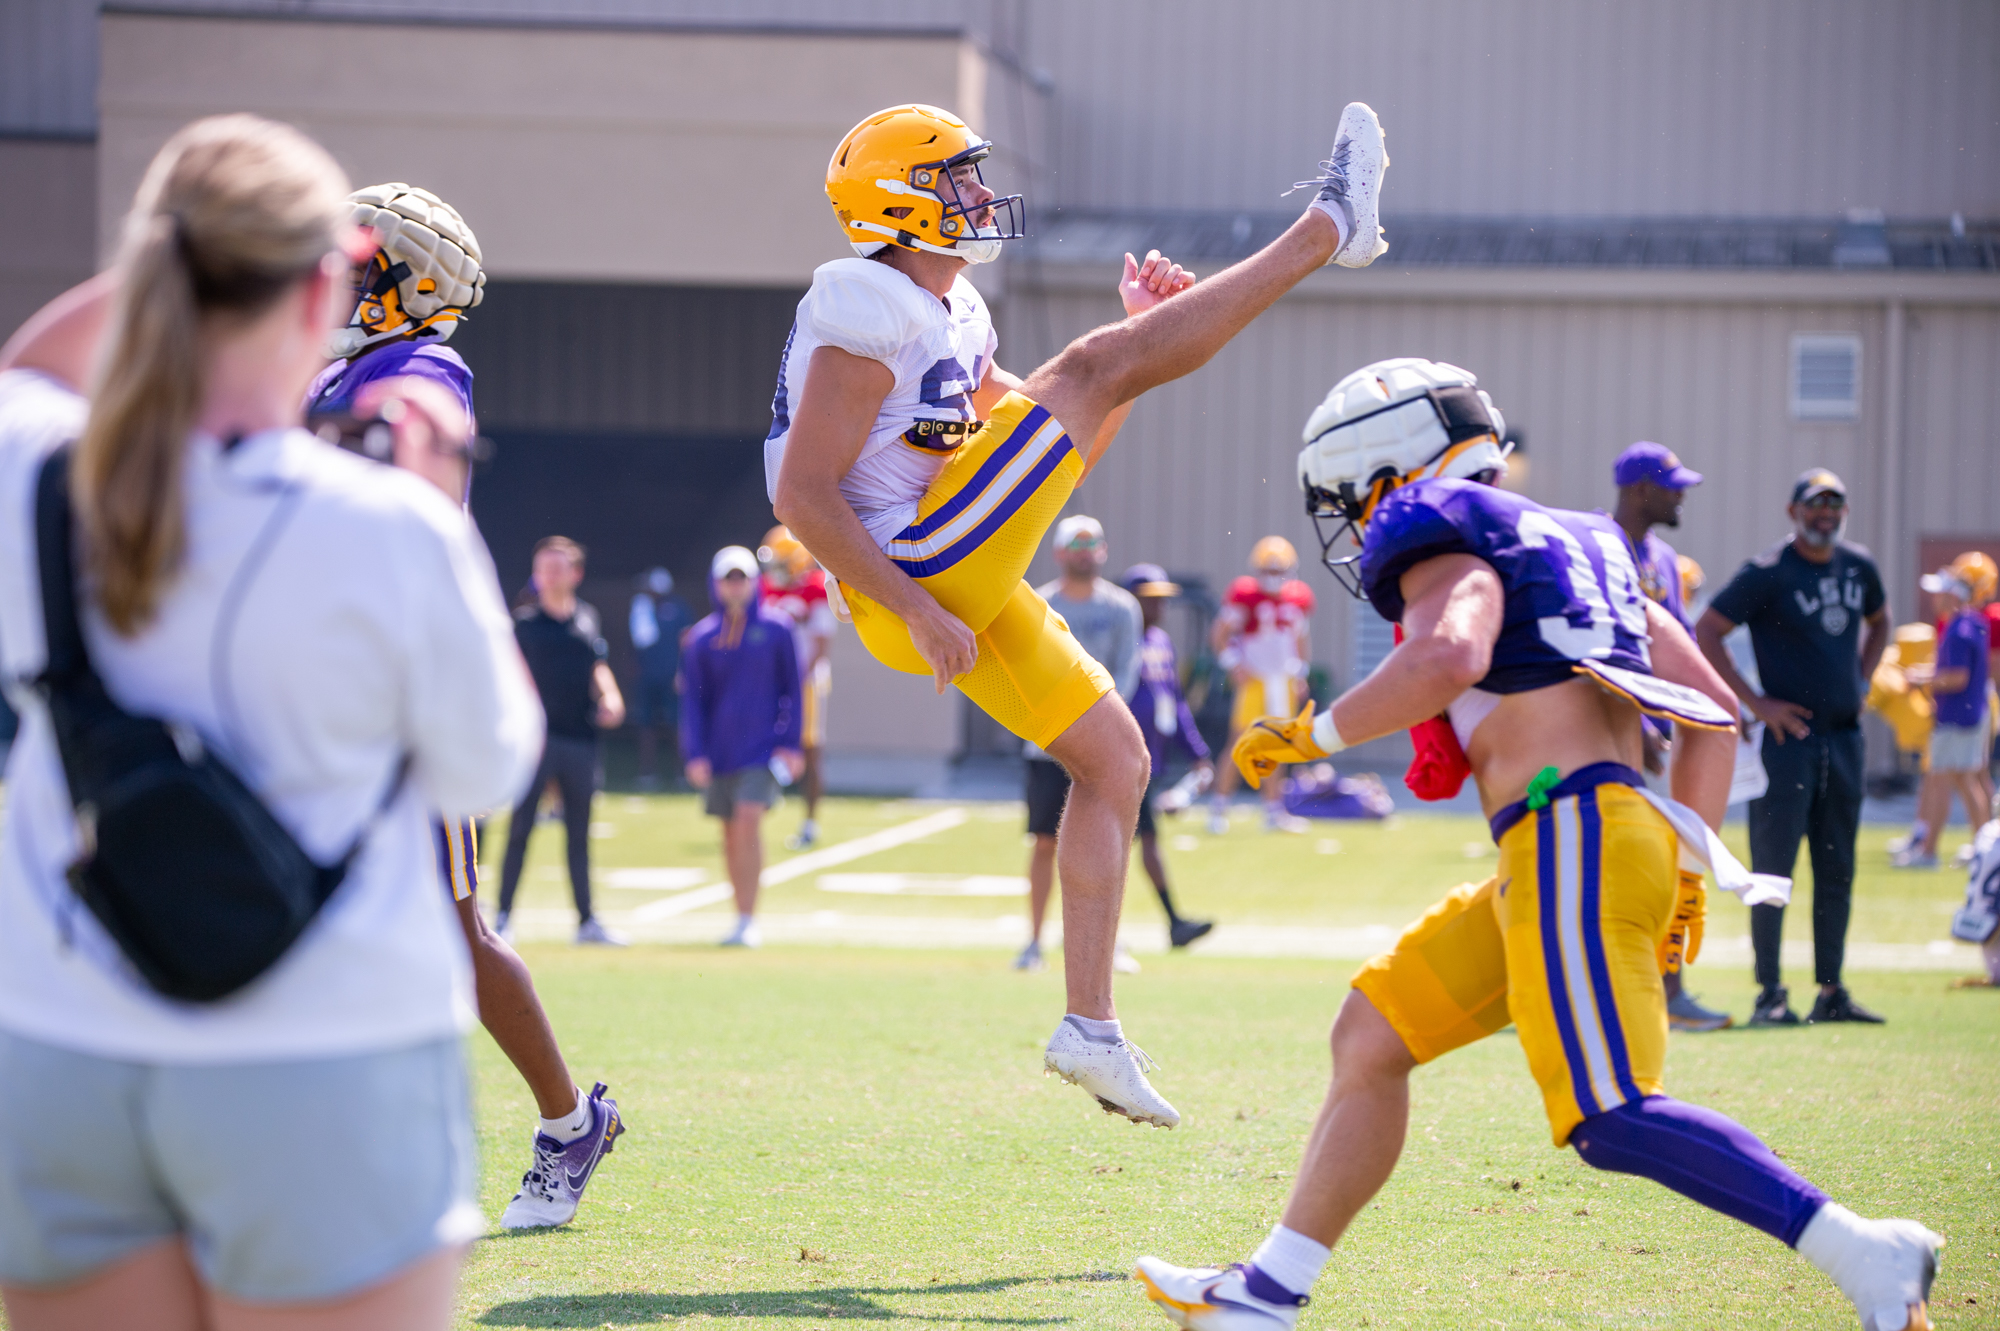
925 477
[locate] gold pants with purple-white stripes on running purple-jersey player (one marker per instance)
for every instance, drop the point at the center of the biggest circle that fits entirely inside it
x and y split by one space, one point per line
1563 942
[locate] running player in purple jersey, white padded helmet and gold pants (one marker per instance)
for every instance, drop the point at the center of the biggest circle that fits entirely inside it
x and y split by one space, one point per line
1527 627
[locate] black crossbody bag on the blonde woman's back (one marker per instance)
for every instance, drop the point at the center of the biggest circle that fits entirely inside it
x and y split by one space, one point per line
181 862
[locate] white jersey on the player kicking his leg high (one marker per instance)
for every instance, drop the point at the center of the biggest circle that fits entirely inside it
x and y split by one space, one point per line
939 353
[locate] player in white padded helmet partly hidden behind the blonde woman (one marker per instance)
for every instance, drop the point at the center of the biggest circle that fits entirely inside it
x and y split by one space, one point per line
393 365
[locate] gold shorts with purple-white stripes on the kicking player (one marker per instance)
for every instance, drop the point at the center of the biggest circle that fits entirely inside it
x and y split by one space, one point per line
975 535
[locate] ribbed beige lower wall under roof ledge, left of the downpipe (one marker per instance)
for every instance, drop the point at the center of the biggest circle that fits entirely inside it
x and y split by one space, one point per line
1207 465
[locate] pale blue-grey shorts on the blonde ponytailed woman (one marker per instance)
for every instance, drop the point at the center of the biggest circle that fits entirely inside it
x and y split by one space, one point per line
289 1182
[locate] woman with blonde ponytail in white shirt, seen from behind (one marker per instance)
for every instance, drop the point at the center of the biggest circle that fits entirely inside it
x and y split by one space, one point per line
301 1152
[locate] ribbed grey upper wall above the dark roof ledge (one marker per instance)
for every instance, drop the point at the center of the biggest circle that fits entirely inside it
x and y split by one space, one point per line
1547 107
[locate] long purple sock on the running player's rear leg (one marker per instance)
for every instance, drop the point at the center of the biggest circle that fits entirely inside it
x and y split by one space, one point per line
1703 1156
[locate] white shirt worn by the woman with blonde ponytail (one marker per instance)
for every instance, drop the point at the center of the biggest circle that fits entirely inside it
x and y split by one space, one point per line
375 629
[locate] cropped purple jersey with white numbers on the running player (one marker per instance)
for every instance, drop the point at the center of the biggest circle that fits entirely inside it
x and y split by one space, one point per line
1573 593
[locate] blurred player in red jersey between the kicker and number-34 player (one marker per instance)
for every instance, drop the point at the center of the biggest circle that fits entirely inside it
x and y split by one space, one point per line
1265 641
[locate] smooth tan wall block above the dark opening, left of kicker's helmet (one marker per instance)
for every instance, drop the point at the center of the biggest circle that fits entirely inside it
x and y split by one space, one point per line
621 157
